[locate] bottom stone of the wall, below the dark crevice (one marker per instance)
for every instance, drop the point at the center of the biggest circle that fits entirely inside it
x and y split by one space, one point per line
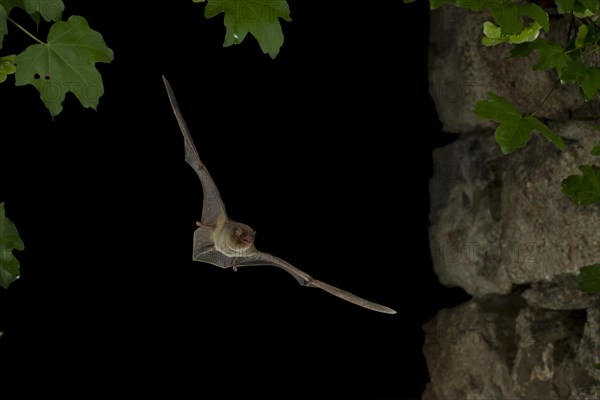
499 347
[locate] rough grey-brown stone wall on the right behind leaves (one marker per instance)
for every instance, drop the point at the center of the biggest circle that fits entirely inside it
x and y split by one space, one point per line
501 229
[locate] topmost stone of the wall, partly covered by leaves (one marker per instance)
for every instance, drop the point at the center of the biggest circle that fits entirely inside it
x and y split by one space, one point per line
462 71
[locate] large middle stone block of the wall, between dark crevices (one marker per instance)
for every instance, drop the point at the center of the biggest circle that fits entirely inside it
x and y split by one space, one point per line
498 221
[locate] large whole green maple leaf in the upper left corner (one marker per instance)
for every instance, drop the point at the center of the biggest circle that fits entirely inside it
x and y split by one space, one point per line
65 64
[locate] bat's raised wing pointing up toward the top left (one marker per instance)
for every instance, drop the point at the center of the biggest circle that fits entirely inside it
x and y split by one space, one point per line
212 205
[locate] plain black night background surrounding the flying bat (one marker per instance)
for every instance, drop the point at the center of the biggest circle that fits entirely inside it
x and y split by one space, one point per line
325 151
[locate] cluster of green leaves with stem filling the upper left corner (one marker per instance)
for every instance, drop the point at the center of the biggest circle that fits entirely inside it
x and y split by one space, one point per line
66 63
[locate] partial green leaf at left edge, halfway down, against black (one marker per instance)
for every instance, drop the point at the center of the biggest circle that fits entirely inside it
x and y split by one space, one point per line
9 241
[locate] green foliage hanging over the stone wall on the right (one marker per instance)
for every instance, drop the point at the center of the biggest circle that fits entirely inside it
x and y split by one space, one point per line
520 24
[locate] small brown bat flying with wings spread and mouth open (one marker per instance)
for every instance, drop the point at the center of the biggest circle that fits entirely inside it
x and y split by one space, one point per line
223 242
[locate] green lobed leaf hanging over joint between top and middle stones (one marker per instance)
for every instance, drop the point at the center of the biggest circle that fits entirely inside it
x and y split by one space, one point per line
514 129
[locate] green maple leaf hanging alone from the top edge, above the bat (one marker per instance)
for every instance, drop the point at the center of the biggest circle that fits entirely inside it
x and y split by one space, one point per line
258 17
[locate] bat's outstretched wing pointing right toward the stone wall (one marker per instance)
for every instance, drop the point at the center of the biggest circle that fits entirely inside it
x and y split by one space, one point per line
260 258
